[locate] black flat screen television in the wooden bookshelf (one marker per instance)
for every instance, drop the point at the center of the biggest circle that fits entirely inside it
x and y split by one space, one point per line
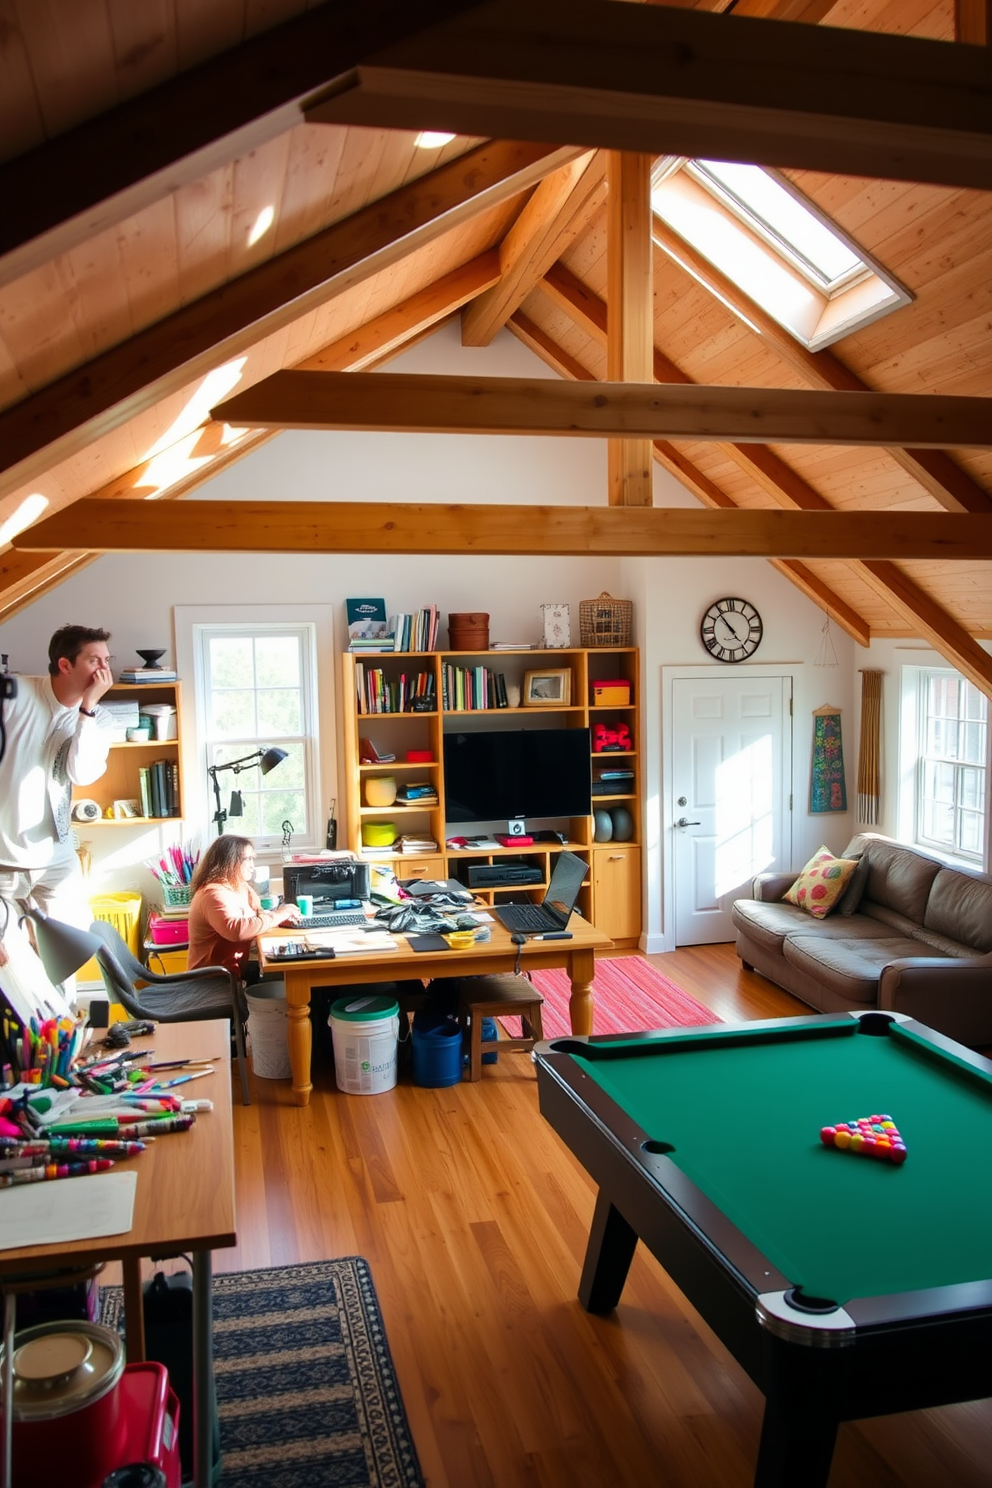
500 775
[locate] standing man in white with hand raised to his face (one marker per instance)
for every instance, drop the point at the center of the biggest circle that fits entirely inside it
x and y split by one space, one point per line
57 737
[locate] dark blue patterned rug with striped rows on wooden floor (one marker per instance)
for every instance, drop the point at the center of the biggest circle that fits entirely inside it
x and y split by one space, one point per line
306 1385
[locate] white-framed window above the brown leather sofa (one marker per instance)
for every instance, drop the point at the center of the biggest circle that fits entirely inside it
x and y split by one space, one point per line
953 745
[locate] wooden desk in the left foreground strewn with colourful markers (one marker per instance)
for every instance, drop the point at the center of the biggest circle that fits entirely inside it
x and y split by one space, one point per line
184 1203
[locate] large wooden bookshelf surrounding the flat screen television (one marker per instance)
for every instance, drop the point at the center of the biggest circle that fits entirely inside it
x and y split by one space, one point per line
612 897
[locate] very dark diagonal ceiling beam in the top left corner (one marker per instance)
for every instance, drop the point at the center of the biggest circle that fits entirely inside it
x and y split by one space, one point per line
124 160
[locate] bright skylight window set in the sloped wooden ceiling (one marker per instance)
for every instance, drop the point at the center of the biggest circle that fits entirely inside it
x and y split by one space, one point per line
759 231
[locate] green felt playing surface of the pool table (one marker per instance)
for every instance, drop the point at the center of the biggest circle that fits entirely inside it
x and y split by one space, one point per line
744 1118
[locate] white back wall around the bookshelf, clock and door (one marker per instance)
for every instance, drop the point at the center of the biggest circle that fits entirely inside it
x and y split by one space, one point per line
135 596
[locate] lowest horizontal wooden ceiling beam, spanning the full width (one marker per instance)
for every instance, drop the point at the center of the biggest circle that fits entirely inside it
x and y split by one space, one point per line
419 527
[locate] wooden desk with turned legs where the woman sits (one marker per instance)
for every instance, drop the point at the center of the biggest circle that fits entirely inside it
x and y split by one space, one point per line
578 956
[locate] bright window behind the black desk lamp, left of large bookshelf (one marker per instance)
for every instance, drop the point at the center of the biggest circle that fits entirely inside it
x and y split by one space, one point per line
258 693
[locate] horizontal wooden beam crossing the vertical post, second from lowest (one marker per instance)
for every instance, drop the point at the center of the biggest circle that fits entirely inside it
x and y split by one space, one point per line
441 404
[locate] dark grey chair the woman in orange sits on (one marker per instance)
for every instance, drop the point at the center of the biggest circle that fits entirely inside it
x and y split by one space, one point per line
210 992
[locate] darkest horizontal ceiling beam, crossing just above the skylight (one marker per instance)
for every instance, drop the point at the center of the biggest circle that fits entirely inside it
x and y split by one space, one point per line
685 83
